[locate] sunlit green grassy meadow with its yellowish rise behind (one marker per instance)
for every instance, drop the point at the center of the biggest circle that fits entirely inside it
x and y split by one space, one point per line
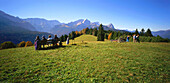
88 62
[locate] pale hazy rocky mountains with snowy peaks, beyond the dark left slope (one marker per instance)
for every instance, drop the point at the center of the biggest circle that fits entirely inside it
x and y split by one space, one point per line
55 27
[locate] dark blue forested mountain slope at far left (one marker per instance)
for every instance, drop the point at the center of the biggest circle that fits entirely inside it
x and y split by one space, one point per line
16 30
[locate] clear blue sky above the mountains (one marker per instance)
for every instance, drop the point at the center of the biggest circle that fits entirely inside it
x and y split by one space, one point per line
123 14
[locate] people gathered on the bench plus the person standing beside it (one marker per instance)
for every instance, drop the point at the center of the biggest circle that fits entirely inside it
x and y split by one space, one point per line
54 41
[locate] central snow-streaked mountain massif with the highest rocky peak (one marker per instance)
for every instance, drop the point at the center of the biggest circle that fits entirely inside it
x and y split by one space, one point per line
77 26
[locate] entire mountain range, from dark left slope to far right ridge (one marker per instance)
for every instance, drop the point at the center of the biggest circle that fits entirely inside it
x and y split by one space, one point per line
16 29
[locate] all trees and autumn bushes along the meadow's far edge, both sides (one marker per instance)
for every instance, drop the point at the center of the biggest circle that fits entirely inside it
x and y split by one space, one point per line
101 35
